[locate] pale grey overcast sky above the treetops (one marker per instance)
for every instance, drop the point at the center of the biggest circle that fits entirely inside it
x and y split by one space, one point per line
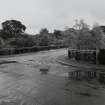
52 14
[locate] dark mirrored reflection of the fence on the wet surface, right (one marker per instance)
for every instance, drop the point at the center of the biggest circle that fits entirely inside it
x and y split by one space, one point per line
87 75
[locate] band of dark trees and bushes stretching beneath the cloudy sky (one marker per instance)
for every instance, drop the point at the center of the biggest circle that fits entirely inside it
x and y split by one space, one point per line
13 38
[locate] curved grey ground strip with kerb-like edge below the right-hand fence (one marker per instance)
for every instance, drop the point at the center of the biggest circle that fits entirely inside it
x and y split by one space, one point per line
65 60
